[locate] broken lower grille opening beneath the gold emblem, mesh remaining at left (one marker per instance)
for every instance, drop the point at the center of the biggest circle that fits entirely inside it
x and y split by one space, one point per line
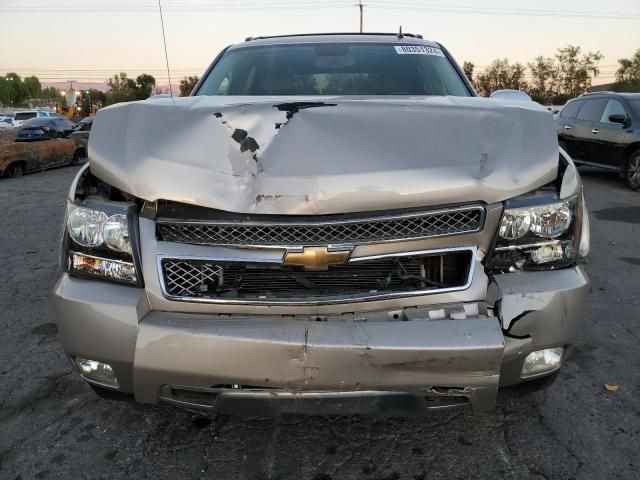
203 279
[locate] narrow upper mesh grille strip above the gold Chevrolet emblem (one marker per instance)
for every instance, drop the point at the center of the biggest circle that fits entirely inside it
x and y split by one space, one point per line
339 231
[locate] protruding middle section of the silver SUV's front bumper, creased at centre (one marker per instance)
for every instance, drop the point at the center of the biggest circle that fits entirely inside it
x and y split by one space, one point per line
200 351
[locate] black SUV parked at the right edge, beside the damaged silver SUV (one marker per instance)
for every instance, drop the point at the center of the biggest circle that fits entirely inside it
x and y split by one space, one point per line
602 129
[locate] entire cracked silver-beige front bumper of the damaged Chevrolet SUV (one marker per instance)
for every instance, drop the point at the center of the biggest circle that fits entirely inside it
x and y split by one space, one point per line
233 363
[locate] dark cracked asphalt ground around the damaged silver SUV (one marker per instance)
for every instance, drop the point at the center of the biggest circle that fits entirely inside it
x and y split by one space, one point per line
53 426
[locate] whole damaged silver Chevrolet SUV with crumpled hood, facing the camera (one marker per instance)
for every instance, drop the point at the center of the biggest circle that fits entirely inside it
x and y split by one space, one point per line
329 223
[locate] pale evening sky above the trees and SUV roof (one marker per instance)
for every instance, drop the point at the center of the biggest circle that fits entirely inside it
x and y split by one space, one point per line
89 40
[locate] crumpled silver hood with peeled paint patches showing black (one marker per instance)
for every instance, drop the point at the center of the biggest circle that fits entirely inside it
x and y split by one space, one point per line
321 155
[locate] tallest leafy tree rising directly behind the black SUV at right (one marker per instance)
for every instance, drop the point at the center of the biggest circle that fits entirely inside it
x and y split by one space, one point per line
574 72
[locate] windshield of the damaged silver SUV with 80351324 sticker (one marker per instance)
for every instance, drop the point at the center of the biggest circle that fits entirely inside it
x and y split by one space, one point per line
334 69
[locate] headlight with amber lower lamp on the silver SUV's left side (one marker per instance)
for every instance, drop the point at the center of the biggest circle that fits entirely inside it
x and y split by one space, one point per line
99 240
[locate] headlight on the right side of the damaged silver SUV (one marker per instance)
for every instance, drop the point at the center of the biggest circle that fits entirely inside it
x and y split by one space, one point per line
540 232
